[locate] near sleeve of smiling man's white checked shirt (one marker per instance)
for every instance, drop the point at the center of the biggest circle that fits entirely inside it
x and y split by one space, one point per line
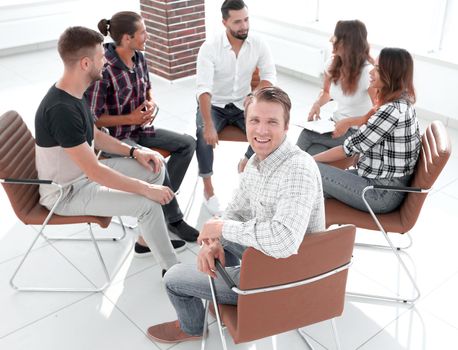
277 228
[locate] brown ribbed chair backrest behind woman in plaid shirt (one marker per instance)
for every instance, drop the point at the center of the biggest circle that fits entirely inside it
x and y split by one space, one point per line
434 154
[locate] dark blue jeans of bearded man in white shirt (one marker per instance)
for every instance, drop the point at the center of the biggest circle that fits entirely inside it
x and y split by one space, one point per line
229 115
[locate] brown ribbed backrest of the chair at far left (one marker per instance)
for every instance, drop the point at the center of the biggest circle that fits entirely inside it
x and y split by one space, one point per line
17 160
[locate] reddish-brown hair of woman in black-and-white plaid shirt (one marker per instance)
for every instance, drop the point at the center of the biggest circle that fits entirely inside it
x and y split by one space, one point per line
395 67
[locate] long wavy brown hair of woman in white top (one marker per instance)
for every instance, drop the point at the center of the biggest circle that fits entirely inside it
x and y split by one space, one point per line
346 67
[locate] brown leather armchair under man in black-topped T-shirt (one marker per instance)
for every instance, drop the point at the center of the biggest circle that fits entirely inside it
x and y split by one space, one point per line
19 178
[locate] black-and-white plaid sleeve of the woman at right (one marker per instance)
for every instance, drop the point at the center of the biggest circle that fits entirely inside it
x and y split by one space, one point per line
377 129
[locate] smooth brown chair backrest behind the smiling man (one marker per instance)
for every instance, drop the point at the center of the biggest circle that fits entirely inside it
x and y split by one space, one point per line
266 314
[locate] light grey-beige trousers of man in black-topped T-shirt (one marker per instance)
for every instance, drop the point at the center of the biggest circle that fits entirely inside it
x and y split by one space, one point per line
90 198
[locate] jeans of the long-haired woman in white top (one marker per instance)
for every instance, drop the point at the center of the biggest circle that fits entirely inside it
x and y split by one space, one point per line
314 143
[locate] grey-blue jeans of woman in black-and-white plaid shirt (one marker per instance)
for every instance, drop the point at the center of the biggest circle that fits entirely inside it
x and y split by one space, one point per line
347 186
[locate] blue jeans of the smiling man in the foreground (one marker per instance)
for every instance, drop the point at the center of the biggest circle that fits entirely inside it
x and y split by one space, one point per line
186 287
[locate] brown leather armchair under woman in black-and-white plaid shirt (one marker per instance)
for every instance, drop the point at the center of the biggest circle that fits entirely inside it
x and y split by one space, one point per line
434 154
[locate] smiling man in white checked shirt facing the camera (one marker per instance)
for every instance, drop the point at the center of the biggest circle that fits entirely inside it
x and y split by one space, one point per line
278 201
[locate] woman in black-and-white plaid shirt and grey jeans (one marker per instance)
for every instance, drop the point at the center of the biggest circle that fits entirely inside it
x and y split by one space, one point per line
387 146
